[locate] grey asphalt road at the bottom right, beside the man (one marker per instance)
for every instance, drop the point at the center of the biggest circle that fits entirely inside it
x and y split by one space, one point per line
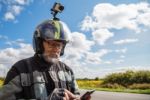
100 95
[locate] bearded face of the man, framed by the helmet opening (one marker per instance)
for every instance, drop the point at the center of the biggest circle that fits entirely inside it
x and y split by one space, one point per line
52 50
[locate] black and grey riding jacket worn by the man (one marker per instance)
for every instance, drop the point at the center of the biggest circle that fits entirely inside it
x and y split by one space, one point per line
33 78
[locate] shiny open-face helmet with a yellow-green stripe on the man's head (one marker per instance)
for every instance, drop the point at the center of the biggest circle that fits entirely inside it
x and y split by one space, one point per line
49 30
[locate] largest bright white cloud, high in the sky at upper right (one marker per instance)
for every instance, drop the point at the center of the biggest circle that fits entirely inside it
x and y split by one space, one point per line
127 16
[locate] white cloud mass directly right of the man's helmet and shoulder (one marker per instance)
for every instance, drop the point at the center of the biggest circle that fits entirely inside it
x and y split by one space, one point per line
78 55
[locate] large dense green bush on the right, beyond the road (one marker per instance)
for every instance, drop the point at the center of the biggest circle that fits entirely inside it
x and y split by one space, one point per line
128 78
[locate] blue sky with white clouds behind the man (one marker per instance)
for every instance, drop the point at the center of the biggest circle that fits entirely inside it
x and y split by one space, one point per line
105 36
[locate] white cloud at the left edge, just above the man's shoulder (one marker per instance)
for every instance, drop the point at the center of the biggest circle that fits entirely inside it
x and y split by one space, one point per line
9 56
